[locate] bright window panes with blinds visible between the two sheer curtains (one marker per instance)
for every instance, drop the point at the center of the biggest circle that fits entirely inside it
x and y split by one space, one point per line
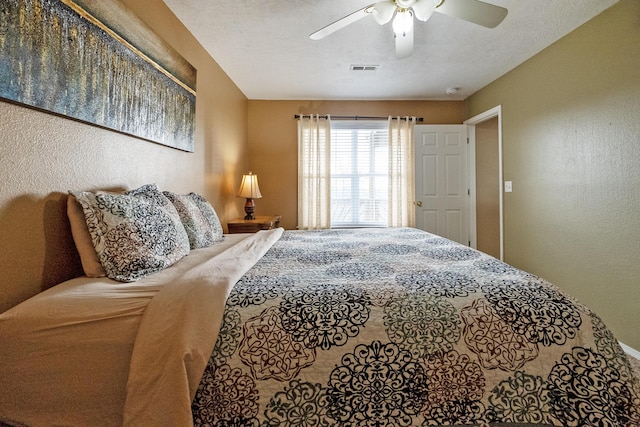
359 173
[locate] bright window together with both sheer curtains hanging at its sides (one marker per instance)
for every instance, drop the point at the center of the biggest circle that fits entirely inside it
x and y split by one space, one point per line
355 173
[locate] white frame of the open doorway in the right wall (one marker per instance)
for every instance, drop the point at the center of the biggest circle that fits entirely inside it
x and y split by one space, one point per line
471 129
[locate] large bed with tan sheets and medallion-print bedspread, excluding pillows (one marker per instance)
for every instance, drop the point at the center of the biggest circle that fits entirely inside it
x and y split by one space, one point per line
354 327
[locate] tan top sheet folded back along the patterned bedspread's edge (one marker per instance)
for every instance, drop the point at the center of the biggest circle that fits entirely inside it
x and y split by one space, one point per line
178 332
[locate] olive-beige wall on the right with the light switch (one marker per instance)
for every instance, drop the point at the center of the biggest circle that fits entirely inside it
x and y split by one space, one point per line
571 135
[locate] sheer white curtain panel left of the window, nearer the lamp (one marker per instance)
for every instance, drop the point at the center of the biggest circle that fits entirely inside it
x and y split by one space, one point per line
314 181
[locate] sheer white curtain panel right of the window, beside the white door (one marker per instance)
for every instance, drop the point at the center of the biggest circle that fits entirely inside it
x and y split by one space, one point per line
401 173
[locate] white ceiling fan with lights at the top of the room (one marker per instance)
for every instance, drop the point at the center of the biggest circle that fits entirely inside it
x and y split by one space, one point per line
402 13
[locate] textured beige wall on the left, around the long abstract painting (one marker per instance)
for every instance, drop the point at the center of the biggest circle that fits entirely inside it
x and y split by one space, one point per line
43 156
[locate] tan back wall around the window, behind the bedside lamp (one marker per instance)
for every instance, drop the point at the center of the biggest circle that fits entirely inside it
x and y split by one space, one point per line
273 140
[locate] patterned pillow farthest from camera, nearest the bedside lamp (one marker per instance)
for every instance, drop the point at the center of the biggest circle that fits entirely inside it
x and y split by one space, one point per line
198 218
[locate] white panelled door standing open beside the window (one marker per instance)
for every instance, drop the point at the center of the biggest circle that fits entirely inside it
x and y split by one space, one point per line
442 181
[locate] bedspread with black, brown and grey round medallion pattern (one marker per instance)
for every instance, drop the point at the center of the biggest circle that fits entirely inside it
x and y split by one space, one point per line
397 327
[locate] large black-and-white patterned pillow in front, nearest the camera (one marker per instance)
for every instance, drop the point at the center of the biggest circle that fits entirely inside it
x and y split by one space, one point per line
136 233
